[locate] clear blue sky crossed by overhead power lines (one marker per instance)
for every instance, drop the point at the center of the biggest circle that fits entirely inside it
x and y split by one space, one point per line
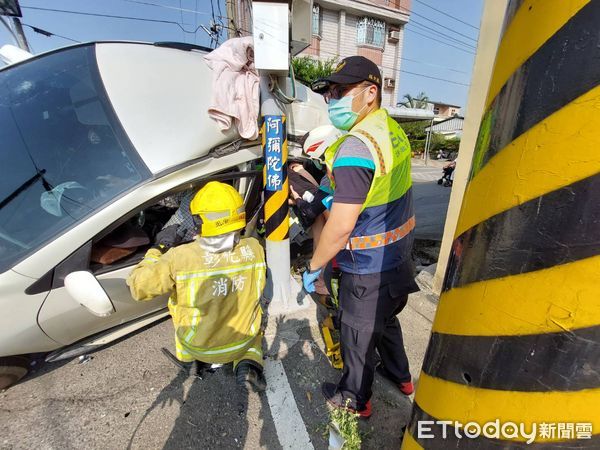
421 55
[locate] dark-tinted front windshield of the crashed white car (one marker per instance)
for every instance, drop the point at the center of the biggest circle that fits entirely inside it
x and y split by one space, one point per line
63 155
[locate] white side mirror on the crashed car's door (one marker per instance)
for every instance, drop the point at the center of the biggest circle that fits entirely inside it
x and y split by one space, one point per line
85 289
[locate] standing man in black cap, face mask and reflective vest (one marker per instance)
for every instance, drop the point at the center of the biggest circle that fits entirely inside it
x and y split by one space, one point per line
369 232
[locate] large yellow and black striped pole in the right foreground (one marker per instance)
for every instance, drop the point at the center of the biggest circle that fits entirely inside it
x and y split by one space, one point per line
515 344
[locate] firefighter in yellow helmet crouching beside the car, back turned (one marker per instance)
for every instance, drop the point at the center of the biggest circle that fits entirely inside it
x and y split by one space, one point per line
215 283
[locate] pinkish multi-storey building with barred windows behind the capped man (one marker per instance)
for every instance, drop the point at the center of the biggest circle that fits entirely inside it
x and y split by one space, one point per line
370 28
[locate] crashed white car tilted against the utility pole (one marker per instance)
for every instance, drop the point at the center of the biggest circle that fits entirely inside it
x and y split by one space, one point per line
97 142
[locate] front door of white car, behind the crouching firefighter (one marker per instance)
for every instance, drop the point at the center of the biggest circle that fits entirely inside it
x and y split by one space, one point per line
65 321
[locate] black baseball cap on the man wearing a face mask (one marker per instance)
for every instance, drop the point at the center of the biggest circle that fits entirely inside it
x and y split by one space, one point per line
351 70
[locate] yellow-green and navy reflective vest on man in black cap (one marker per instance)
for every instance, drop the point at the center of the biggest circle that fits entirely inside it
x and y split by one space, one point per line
388 206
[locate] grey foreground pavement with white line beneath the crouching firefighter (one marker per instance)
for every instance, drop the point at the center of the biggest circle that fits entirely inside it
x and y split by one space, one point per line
130 396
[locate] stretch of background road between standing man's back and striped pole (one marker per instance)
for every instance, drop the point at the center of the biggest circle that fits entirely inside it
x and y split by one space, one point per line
431 202
